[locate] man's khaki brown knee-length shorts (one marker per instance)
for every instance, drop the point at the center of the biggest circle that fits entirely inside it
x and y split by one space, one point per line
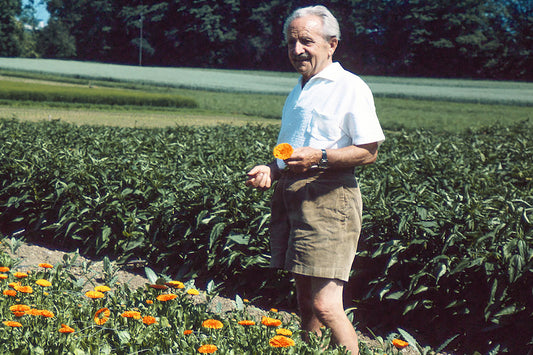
316 222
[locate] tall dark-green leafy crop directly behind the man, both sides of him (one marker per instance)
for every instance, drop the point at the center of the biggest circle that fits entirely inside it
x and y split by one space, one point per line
447 236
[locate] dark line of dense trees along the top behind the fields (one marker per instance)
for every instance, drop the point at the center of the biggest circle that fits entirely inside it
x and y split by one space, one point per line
445 38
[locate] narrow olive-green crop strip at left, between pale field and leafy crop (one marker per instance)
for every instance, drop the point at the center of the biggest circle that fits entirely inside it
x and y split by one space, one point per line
92 95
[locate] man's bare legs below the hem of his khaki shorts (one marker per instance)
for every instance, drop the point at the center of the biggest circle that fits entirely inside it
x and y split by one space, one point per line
320 303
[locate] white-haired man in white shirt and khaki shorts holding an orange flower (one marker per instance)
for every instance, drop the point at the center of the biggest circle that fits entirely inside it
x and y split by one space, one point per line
330 120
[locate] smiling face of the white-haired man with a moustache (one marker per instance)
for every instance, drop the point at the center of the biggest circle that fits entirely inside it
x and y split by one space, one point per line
308 51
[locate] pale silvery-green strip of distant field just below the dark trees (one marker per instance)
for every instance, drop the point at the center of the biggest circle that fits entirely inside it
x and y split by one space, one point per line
476 91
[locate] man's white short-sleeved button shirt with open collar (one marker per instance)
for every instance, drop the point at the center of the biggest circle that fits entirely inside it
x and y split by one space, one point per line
334 109
